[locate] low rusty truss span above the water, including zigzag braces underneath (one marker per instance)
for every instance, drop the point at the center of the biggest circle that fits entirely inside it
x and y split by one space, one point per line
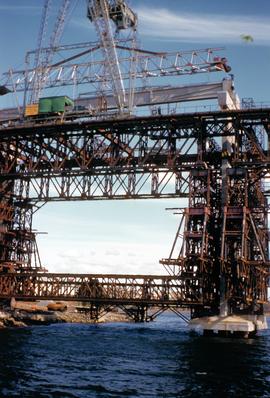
133 294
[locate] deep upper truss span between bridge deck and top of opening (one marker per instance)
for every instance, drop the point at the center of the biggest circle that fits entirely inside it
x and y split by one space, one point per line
147 157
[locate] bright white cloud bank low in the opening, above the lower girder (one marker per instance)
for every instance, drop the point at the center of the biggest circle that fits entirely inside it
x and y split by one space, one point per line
132 259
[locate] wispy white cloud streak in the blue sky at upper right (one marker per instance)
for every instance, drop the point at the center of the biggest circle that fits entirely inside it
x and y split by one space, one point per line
189 27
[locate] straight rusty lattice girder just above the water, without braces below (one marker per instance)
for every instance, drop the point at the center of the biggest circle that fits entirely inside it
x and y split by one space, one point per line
99 288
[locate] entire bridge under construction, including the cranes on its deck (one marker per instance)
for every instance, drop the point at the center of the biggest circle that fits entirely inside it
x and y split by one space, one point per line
96 148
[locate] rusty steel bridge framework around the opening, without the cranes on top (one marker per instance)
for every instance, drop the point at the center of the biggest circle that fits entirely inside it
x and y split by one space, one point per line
215 159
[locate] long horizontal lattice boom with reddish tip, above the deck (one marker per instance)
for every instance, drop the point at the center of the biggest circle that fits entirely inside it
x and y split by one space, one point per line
90 69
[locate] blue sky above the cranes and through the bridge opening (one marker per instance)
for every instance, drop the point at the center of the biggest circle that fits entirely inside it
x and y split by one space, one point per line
132 236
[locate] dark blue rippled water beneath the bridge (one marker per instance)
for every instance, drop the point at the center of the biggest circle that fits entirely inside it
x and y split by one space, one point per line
160 359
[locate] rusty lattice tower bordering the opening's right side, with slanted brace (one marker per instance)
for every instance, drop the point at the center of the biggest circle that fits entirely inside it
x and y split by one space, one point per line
201 230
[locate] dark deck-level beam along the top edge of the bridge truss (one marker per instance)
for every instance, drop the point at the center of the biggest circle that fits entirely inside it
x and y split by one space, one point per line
142 125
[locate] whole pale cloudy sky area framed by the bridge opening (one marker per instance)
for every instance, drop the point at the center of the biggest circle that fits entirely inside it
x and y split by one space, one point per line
112 237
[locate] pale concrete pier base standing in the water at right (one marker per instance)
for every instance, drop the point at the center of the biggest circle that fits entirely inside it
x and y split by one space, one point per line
231 325
